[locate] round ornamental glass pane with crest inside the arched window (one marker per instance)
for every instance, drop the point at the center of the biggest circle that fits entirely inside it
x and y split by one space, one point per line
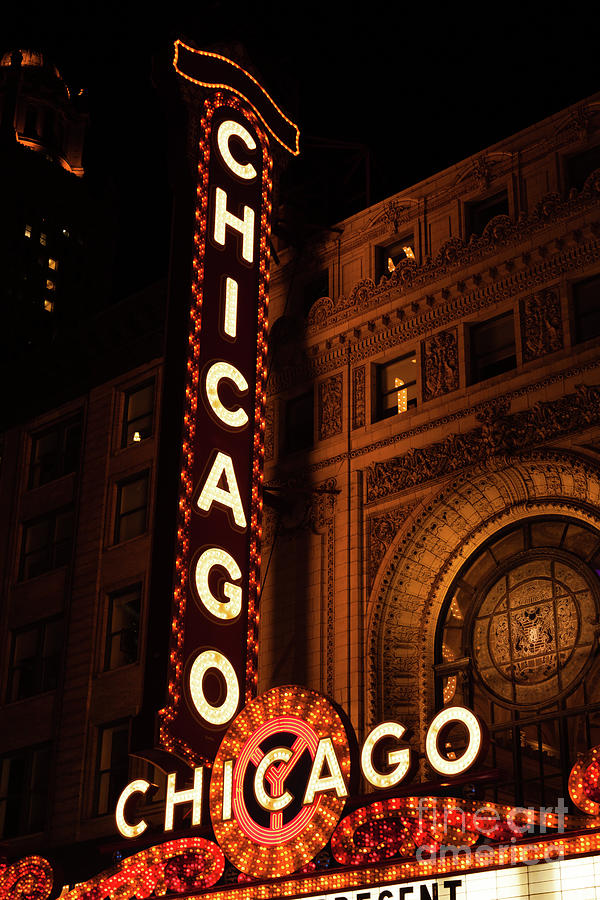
534 631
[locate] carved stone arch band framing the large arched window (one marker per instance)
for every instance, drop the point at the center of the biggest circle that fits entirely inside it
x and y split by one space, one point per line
429 550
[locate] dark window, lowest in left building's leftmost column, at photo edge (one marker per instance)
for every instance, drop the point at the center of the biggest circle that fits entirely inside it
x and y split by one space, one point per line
24 780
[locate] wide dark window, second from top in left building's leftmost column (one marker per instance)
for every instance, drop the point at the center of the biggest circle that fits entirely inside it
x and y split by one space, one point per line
47 543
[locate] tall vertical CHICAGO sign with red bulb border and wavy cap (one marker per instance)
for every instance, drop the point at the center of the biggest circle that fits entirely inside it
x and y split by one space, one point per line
213 655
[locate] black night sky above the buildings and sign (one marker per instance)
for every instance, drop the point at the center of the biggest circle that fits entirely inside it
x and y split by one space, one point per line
421 85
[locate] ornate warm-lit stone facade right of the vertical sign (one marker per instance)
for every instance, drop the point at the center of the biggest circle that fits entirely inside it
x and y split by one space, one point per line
425 490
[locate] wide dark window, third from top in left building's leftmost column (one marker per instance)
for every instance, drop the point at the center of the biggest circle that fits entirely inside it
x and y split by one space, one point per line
35 660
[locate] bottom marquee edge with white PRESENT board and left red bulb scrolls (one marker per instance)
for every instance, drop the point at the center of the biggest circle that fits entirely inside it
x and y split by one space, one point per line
526 872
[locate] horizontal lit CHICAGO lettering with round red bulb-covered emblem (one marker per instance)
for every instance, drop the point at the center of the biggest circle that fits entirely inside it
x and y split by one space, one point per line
283 773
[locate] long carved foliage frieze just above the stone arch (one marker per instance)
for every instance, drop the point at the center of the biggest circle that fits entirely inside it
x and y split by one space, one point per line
498 434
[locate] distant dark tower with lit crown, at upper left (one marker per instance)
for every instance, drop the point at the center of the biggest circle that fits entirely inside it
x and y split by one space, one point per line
56 236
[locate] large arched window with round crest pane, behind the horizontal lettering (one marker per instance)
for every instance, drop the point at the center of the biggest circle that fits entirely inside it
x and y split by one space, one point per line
517 642
